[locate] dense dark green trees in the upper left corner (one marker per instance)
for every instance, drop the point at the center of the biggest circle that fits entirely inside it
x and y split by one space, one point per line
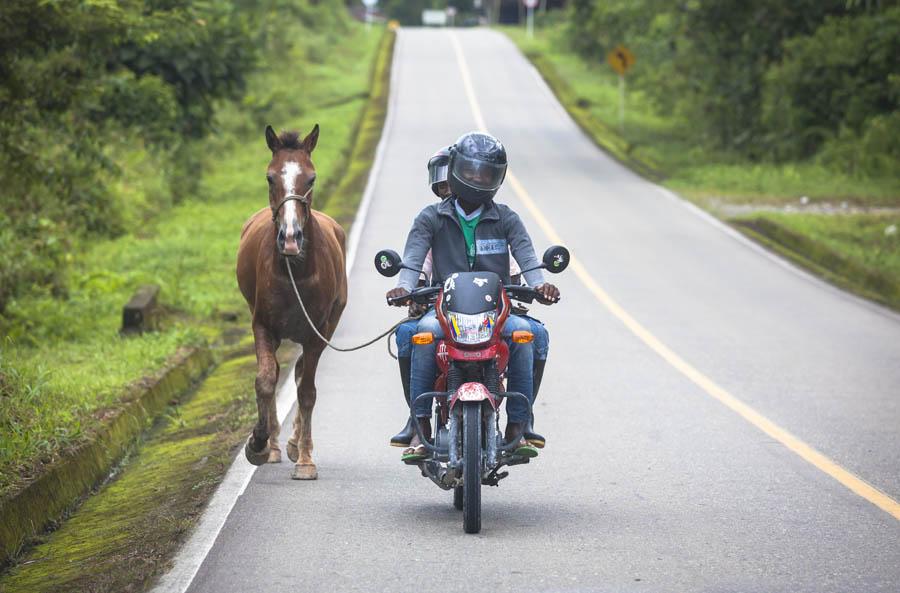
81 81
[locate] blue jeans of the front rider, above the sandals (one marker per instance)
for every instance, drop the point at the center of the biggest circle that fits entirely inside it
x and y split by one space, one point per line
519 370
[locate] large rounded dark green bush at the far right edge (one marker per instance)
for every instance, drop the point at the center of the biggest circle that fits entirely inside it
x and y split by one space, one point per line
841 83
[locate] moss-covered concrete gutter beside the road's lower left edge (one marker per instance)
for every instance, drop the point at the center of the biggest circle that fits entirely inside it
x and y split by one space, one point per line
122 537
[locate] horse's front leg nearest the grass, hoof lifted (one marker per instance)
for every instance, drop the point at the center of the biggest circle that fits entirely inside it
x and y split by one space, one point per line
257 447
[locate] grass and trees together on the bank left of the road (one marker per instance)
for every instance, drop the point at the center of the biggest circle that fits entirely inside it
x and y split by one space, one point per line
63 366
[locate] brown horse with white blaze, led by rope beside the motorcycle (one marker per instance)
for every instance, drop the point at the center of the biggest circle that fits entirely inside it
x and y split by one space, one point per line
313 244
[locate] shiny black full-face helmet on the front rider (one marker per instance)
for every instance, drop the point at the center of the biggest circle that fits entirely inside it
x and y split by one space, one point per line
477 167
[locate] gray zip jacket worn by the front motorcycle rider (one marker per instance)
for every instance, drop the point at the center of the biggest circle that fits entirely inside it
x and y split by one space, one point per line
499 231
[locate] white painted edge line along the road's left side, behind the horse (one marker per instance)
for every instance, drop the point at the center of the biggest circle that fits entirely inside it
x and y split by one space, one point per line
191 556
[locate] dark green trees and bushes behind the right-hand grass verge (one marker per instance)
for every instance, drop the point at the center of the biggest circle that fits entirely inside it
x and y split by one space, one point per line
761 79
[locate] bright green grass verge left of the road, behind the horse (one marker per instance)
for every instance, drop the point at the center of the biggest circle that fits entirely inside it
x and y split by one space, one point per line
62 363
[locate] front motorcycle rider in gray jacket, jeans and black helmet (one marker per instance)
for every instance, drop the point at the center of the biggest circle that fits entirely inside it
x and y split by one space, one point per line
487 231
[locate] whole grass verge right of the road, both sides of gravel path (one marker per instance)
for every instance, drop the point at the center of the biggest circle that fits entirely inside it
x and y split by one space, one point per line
850 250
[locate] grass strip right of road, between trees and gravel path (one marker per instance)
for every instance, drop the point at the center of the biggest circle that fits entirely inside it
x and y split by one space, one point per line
661 145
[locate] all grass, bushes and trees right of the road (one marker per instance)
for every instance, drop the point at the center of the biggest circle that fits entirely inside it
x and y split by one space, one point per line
783 119
